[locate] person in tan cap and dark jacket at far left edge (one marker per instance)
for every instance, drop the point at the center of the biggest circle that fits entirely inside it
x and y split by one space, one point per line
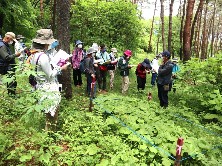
7 60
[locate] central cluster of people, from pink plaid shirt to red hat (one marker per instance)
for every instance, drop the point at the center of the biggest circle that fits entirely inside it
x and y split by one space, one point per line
97 64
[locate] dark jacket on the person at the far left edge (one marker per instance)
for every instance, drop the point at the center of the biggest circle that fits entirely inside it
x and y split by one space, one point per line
7 59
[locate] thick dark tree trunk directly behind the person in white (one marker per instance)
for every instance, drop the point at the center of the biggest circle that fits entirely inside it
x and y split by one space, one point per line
63 35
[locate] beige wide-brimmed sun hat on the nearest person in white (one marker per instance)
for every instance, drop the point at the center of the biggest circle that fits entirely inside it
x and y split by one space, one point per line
44 36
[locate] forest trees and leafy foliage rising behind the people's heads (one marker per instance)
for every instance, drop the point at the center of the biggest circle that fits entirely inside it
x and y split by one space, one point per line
194 32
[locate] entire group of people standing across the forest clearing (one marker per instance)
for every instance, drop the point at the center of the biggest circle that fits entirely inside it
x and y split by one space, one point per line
95 63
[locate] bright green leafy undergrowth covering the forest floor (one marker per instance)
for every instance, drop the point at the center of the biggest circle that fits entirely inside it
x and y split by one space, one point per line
121 129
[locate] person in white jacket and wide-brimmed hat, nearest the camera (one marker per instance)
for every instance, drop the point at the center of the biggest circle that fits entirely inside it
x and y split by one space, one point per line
46 78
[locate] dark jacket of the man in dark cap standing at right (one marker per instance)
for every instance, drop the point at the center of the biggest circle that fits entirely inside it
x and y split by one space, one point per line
165 73
